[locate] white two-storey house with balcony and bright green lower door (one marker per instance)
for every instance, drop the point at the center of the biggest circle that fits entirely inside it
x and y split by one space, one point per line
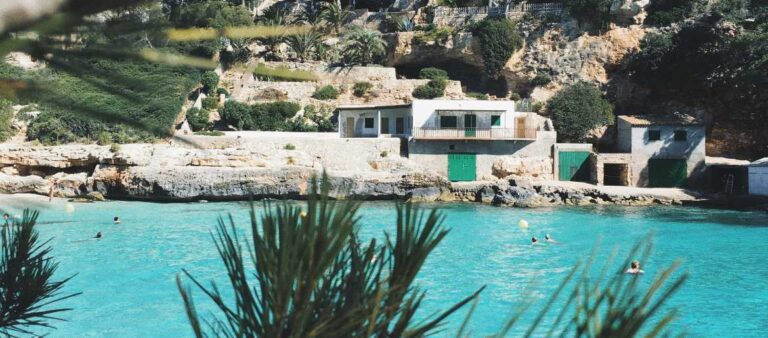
461 139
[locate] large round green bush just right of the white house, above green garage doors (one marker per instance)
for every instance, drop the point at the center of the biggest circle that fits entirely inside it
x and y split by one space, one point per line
577 109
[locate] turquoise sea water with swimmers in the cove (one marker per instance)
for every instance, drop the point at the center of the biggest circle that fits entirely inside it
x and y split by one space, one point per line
128 277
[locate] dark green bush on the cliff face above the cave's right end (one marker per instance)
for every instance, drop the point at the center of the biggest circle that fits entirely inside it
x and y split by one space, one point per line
499 39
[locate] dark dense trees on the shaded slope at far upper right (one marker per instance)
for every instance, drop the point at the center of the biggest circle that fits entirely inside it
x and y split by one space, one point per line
716 64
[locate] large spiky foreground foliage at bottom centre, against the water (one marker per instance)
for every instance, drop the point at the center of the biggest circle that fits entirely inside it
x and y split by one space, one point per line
315 278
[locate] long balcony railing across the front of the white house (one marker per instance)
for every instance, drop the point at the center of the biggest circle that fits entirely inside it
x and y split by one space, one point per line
474 134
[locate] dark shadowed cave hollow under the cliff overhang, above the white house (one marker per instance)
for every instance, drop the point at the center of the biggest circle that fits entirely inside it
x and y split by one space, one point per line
473 78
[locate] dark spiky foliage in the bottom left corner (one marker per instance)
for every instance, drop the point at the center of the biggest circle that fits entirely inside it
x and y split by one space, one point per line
27 286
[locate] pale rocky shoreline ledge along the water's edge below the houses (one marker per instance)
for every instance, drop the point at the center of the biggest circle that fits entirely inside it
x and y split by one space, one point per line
240 168
